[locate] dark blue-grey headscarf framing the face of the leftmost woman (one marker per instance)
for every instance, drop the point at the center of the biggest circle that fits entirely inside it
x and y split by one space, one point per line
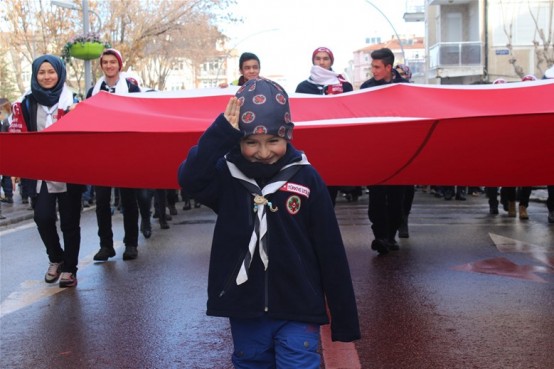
50 96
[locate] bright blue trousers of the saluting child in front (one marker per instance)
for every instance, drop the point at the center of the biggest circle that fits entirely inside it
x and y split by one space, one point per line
265 343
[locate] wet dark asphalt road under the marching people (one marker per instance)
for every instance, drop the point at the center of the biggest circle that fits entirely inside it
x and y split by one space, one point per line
449 298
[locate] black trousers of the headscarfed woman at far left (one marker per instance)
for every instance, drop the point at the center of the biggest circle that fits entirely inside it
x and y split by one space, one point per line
69 206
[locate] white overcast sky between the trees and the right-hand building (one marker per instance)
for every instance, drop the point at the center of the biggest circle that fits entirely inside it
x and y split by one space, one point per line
285 33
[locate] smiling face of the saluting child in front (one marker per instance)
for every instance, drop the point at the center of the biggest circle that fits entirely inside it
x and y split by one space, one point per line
265 149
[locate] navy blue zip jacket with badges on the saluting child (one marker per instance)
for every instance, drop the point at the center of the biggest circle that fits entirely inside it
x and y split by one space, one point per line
307 261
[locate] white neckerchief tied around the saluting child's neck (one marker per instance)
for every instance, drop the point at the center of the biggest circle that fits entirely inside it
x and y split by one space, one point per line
260 228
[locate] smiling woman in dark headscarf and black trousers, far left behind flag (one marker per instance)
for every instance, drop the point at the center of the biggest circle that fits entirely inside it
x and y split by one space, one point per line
48 100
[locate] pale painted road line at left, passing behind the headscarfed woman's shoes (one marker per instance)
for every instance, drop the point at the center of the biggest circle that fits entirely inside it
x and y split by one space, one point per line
31 291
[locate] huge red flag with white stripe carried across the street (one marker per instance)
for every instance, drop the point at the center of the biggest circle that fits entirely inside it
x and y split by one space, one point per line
495 135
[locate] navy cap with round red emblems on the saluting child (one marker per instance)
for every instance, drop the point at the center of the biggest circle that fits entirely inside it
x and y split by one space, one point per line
264 109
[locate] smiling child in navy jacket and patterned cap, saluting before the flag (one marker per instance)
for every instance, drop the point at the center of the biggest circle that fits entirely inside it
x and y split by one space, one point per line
277 255
